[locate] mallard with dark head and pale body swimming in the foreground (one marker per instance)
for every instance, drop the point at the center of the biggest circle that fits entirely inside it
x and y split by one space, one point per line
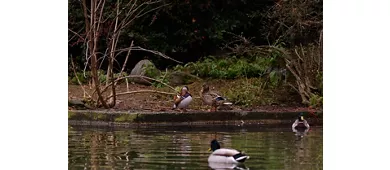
223 155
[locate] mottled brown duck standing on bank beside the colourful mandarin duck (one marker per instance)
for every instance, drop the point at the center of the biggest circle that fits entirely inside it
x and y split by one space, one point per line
212 98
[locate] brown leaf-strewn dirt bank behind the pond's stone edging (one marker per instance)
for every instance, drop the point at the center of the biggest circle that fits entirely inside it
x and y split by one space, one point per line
276 100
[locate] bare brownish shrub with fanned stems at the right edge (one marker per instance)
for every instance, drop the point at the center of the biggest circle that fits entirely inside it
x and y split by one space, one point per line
303 62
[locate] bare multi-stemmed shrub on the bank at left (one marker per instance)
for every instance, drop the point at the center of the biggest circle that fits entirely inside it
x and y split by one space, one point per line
96 16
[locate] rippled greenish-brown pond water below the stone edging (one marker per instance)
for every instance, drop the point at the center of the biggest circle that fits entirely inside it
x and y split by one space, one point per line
187 147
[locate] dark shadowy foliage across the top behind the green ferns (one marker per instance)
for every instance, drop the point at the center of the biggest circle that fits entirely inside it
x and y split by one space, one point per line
191 29
